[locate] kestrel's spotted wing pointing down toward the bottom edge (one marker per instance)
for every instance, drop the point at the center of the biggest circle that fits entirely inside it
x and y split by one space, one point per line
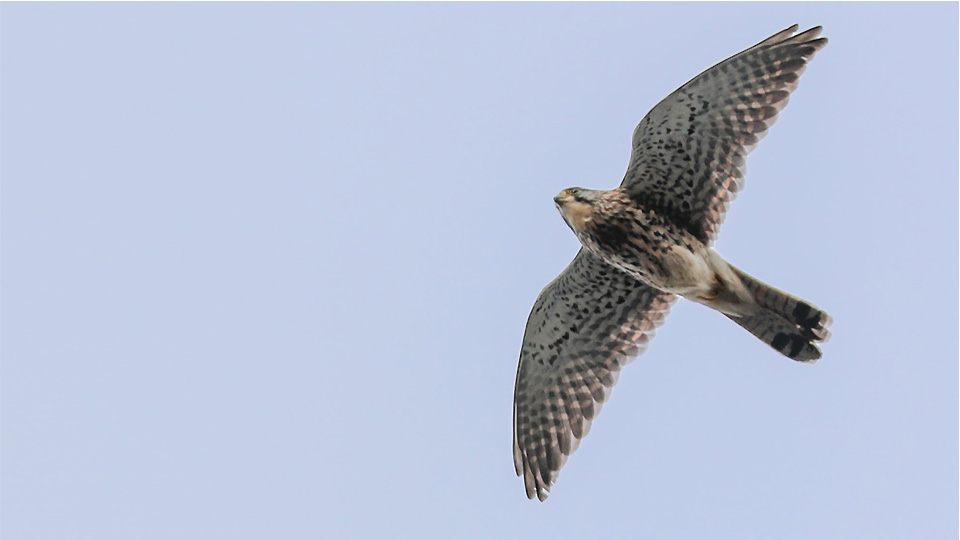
585 325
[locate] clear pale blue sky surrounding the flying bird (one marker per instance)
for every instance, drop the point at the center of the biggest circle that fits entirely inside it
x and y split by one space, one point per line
266 269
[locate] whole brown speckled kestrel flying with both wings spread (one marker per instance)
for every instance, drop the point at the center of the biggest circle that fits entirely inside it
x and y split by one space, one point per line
647 242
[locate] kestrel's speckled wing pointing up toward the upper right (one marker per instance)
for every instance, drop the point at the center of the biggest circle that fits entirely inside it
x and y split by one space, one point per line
690 150
